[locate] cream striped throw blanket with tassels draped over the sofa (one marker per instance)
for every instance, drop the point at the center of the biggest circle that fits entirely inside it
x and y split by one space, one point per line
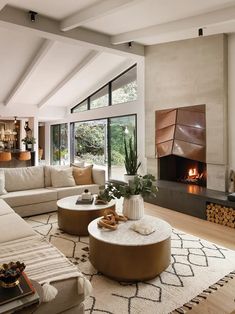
44 263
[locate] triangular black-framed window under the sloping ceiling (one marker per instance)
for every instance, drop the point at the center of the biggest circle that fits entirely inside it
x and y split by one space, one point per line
121 89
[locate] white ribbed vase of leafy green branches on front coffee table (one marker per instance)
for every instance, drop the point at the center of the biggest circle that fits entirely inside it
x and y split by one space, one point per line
133 193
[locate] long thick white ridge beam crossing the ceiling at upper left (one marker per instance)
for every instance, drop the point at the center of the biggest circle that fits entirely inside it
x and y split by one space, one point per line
18 20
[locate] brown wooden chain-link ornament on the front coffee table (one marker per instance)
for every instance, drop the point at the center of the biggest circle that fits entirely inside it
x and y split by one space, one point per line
110 220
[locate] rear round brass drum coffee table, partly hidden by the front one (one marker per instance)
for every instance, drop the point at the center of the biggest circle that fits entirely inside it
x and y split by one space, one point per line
74 219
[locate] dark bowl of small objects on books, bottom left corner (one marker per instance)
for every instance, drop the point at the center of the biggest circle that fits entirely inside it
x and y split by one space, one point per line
10 274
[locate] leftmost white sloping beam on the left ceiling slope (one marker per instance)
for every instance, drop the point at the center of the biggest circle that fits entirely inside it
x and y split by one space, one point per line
29 71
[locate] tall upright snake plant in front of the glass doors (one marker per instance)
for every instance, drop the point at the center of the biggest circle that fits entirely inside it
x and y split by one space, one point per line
131 159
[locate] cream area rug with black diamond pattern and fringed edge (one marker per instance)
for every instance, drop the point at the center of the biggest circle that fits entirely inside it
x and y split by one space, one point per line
196 265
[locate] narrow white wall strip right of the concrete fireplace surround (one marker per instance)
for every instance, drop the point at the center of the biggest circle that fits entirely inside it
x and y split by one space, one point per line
231 100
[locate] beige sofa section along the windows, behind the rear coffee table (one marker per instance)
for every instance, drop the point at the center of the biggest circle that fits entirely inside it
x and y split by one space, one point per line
30 191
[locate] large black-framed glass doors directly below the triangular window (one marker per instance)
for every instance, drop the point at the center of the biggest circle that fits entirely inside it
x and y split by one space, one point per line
101 142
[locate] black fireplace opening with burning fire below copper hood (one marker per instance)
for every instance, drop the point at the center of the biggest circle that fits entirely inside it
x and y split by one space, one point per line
180 169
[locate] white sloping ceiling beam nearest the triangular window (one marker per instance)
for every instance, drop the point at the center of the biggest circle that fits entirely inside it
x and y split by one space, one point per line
77 70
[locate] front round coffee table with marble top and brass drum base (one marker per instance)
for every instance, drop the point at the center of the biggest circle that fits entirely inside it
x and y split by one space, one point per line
126 255
